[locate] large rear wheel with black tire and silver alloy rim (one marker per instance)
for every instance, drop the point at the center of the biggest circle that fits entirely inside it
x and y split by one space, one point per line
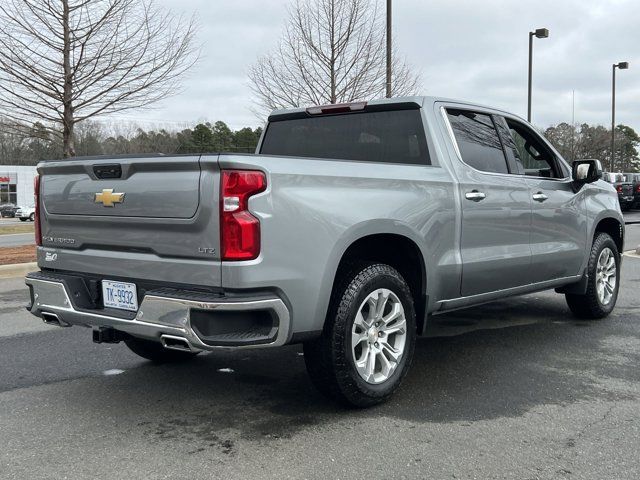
331 359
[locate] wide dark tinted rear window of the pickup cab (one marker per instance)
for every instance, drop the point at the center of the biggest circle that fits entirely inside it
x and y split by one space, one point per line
389 136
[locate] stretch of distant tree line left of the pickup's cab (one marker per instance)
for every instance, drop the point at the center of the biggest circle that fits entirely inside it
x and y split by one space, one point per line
97 138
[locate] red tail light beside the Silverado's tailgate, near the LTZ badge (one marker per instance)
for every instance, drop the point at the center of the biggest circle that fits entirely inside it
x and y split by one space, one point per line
239 230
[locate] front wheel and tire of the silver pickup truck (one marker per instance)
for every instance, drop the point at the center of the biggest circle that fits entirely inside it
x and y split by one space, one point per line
593 304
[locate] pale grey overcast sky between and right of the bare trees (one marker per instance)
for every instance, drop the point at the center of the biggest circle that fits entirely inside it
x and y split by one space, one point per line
473 50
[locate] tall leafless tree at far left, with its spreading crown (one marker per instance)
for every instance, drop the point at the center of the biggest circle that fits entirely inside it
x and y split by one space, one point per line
64 61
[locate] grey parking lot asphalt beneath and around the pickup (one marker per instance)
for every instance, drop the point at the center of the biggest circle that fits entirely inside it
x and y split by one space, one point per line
513 389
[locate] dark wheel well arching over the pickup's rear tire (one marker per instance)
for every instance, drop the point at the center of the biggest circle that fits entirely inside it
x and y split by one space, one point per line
398 252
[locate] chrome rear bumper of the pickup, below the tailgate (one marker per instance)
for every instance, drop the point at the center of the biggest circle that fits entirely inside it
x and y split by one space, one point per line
158 317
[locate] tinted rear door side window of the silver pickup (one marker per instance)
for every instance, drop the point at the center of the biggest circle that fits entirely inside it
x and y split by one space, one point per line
478 140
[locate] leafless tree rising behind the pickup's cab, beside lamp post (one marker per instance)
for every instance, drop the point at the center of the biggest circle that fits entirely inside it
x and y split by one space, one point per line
332 51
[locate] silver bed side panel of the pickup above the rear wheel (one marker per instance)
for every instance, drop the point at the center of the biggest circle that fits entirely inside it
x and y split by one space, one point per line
314 209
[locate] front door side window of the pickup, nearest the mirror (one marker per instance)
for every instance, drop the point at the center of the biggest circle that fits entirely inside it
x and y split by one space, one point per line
531 155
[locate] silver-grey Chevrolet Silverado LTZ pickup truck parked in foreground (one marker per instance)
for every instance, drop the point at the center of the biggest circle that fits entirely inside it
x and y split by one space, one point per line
347 231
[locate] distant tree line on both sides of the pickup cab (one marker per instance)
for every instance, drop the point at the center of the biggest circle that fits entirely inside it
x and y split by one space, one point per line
98 138
